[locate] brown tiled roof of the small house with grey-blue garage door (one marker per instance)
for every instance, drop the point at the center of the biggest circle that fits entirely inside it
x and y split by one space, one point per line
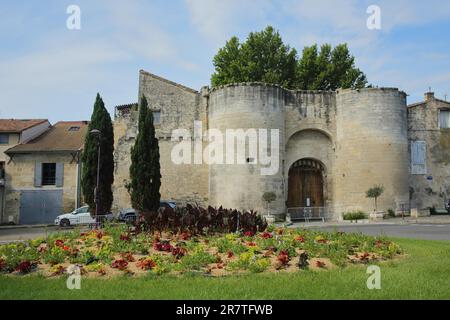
64 136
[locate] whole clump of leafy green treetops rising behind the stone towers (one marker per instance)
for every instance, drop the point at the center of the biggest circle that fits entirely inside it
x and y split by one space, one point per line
263 57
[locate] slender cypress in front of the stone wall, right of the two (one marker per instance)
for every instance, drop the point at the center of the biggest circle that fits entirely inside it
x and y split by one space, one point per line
145 173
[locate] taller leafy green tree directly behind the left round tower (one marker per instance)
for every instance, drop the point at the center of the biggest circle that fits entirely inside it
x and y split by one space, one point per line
263 57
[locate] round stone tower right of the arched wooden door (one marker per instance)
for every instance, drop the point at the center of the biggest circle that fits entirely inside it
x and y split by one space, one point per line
372 149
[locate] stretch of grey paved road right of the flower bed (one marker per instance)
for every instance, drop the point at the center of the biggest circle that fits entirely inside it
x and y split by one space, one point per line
413 231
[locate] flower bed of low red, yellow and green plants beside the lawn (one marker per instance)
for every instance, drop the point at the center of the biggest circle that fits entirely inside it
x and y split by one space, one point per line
115 251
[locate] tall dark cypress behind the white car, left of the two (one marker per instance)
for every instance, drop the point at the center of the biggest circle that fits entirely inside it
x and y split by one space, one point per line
100 120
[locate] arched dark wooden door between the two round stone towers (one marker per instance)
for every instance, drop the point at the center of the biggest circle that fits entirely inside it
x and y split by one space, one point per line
306 184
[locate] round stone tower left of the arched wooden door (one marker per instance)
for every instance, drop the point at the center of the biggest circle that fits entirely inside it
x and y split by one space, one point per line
247 110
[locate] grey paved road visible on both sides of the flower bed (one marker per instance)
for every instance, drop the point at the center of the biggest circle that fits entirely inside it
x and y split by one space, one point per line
415 231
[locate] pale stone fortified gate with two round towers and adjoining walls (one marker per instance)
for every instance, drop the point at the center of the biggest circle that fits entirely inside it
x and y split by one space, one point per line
333 147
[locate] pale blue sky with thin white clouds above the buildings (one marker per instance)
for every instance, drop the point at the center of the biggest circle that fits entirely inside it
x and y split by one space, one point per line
49 71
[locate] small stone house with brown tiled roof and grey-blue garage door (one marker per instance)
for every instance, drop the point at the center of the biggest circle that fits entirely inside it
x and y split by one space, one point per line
43 175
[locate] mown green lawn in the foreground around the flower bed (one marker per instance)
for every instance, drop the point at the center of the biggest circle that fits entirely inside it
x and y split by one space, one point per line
423 274
